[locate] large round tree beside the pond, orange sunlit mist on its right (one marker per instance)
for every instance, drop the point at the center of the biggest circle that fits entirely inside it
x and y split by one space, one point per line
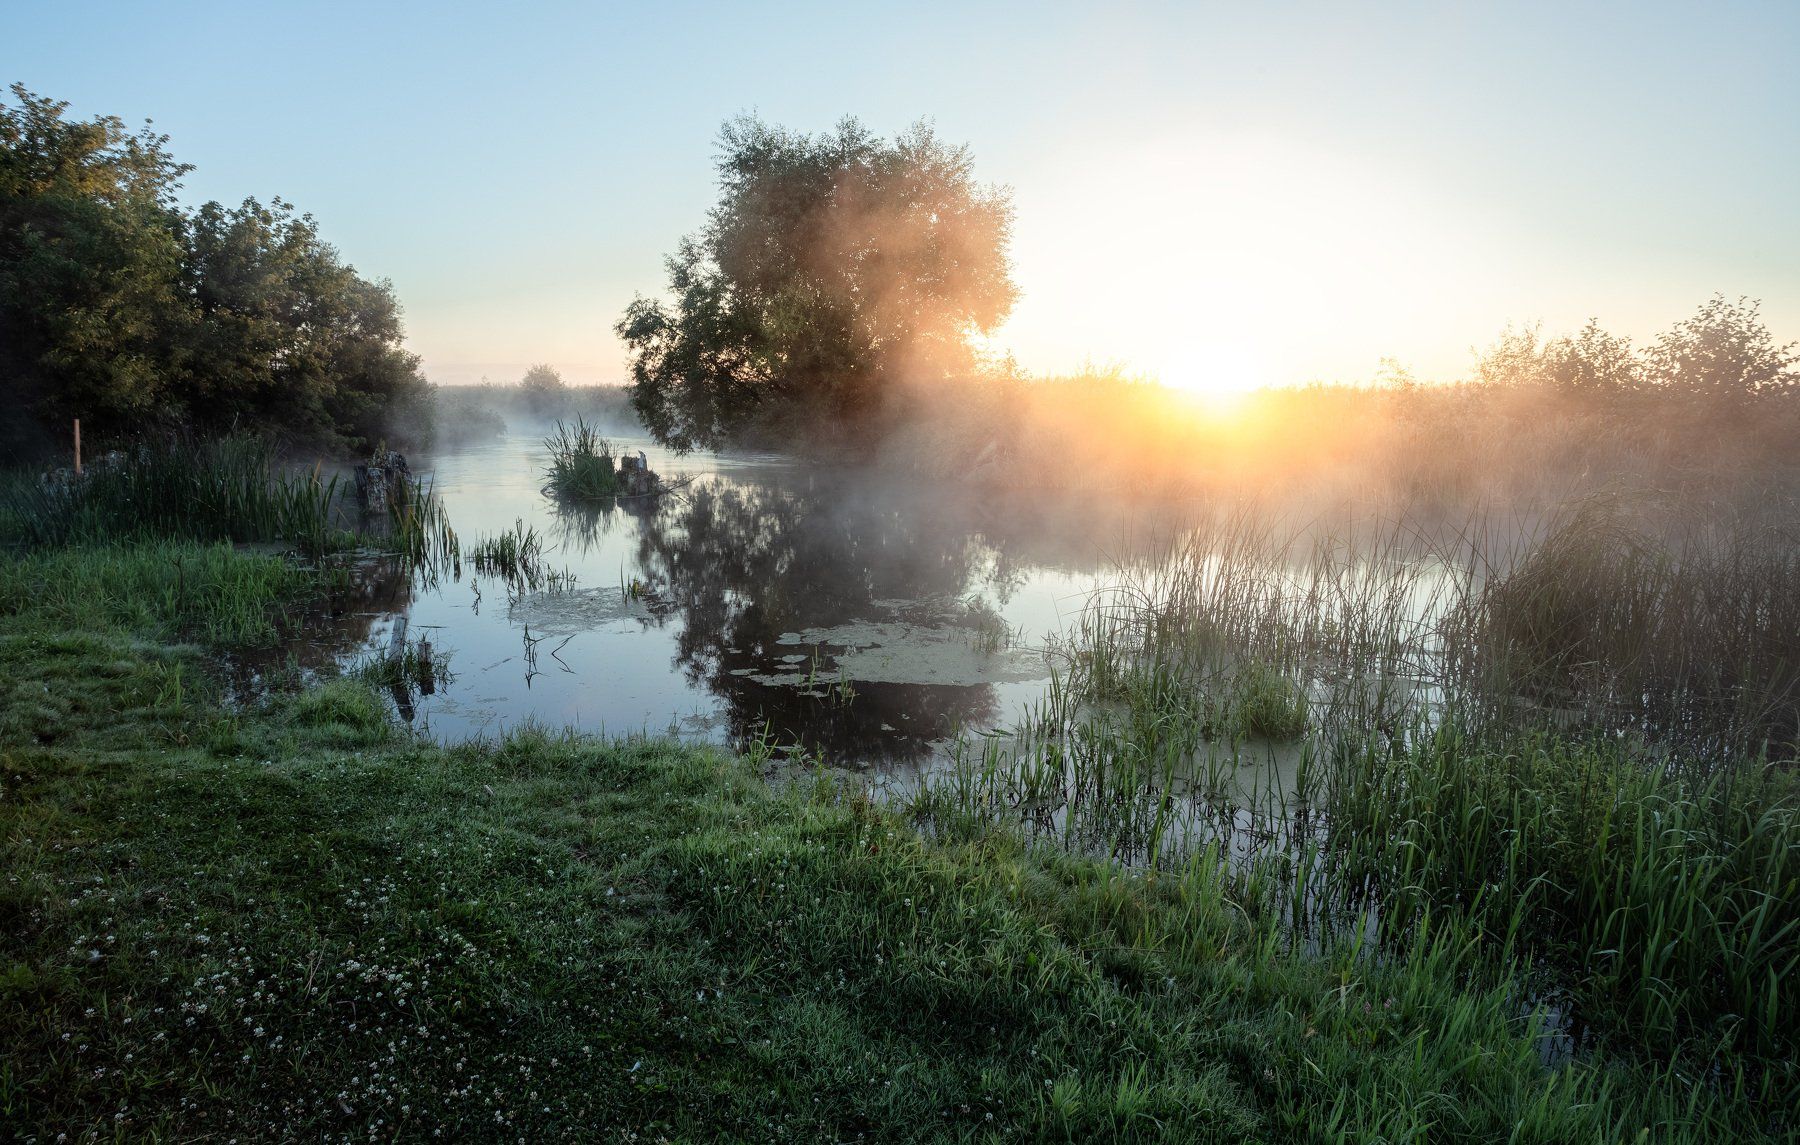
832 269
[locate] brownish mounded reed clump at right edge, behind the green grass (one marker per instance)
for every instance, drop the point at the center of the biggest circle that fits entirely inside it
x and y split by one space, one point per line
1689 635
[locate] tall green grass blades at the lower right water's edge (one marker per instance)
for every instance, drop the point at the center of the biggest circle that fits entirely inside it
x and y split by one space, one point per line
1666 908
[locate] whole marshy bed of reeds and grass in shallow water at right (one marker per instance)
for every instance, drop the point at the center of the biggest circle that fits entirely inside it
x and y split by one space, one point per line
1637 861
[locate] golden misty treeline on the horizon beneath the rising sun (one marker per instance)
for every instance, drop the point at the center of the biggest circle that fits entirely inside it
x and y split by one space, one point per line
1713 402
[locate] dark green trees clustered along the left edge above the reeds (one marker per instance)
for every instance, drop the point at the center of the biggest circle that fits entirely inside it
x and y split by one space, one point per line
129 311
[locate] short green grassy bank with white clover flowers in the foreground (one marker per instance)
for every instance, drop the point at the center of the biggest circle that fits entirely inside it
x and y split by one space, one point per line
292 923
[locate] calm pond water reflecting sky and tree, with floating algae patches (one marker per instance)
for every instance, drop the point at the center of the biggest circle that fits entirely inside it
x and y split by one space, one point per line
768 597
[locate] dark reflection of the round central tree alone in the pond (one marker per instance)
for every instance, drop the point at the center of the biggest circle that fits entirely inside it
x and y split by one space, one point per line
746 566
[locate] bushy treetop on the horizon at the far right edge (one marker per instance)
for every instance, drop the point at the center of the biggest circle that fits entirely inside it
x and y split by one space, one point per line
1725 354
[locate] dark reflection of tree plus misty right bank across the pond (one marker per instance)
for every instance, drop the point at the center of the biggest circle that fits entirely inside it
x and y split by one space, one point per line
737 564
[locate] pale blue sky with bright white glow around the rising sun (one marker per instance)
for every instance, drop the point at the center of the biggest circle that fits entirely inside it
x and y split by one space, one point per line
1216 194
